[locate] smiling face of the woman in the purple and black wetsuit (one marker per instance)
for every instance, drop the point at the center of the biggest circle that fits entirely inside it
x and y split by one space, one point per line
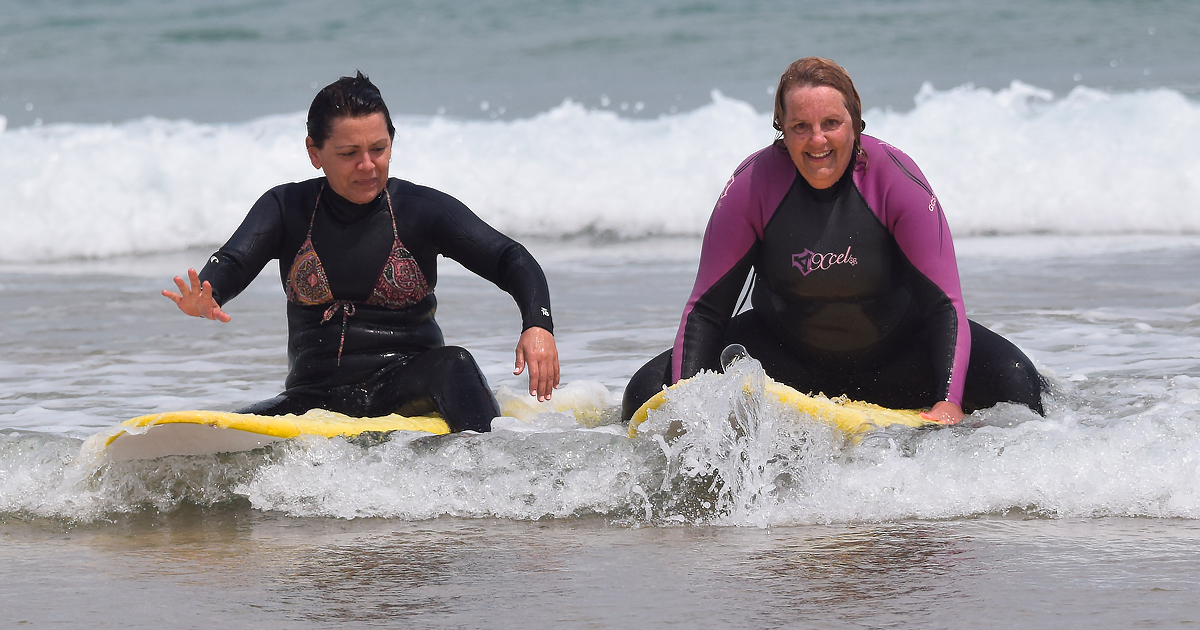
819 134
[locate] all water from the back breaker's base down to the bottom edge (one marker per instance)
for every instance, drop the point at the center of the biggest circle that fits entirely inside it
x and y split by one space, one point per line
1084 519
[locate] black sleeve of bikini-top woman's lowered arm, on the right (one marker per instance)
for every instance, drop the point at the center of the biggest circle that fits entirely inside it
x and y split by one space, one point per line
460 235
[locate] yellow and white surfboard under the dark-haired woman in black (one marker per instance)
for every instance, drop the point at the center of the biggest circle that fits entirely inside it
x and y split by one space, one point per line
202 433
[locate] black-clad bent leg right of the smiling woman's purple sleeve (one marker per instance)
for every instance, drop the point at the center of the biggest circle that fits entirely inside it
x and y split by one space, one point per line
1000 373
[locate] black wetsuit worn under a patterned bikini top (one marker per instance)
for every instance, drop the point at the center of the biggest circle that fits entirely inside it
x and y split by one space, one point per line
353 349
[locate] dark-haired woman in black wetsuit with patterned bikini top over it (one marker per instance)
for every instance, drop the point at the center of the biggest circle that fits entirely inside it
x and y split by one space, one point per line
357 256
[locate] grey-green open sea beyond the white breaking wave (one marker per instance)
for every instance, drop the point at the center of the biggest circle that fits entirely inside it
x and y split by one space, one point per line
232 62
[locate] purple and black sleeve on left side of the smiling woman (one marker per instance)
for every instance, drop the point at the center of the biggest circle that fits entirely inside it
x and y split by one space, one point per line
731 242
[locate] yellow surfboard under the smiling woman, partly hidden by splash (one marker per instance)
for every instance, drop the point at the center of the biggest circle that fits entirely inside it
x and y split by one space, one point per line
854 418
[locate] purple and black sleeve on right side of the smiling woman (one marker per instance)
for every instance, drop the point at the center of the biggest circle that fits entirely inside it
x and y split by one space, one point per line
904 201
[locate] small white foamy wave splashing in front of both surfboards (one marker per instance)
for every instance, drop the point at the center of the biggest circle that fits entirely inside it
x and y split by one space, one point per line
718 453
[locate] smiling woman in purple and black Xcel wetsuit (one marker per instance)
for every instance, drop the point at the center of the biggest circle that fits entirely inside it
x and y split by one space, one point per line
856 285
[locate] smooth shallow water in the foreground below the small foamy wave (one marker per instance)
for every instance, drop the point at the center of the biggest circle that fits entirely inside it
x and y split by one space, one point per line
235 566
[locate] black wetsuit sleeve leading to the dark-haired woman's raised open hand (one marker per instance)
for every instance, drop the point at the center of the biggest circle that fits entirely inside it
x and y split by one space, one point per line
232 268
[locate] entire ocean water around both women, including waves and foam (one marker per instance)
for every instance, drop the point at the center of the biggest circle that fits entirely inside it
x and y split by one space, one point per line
1061 141
